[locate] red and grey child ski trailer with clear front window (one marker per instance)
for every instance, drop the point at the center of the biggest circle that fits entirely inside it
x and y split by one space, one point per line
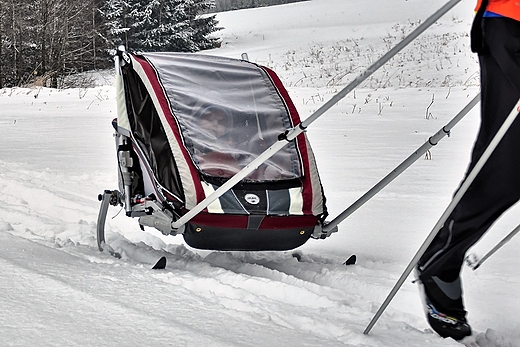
186 124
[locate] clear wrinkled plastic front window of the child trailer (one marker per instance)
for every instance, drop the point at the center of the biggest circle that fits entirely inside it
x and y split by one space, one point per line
229 112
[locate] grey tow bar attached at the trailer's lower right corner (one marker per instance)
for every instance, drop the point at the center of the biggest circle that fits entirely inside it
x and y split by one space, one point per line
432 141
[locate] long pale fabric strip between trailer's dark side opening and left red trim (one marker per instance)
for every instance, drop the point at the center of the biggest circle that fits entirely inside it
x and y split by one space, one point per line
182 165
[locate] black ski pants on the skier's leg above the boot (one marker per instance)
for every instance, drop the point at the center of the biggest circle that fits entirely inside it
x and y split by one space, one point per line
497 187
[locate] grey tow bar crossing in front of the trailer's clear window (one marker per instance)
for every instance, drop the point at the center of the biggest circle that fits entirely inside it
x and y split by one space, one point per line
291 134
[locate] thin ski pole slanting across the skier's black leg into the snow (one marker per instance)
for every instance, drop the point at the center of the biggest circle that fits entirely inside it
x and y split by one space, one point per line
462 190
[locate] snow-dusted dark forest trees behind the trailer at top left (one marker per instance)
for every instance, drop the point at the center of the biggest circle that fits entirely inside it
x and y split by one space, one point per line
47 42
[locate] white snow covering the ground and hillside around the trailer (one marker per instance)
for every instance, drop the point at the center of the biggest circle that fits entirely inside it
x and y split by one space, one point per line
57 154
